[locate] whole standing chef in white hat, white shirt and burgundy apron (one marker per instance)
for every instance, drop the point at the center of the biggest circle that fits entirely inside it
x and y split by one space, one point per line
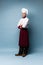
23 37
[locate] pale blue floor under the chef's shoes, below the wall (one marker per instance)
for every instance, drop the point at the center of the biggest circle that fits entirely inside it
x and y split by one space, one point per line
7 57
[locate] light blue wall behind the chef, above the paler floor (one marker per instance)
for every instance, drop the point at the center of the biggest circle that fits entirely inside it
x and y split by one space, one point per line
10 13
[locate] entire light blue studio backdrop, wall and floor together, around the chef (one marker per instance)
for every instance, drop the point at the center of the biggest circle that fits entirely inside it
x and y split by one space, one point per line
10 13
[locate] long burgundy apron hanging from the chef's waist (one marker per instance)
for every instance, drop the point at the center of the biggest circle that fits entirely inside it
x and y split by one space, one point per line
23 38
